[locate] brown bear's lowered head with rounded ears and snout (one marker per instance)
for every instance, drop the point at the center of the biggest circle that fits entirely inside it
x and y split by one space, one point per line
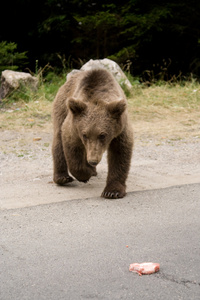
97 124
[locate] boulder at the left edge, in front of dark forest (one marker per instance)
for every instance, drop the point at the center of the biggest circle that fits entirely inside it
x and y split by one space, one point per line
11 80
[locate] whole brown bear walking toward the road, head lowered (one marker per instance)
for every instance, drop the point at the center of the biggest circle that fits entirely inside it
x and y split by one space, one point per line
90 117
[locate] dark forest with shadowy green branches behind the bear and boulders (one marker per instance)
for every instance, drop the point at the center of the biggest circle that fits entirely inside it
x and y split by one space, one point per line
144 36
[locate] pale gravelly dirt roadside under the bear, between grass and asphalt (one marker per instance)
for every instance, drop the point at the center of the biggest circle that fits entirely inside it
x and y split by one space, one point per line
166 153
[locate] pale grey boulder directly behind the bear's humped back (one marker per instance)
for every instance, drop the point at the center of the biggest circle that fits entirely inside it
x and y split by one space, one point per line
105 63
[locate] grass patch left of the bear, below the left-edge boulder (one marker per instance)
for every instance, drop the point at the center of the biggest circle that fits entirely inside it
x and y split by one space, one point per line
26 108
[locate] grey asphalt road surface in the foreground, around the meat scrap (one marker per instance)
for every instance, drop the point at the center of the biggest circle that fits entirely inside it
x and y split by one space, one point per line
82 249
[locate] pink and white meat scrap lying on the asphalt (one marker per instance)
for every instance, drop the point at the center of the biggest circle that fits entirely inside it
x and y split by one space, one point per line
144 268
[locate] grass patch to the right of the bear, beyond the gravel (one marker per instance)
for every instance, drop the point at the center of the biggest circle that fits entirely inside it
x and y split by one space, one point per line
166 98
